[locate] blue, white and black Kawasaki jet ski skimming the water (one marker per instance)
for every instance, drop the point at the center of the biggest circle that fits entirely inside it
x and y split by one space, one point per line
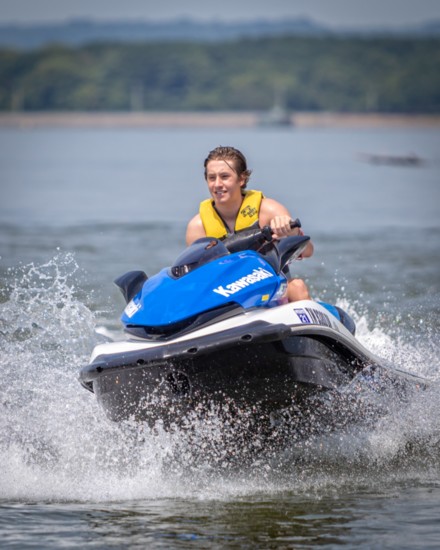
215 328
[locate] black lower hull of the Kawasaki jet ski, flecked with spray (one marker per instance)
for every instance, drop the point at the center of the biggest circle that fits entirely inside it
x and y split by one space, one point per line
268 366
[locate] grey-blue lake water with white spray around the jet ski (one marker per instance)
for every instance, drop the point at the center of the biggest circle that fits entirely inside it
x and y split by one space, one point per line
78 207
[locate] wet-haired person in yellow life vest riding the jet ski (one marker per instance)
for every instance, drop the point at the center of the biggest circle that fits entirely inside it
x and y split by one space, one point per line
233 208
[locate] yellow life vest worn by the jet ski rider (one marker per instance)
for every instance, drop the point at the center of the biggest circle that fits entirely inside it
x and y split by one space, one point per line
247 216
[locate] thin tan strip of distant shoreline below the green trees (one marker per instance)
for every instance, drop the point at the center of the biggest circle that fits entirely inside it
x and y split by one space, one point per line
208 119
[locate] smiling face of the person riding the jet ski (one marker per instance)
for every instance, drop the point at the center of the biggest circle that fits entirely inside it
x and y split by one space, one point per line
224 183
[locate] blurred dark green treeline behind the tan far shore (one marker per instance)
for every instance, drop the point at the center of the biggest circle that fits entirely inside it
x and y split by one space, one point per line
310 74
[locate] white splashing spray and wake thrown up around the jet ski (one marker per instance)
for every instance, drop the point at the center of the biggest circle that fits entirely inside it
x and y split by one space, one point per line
55 444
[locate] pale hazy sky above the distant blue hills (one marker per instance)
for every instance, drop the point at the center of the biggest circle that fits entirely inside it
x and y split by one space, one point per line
331 12
